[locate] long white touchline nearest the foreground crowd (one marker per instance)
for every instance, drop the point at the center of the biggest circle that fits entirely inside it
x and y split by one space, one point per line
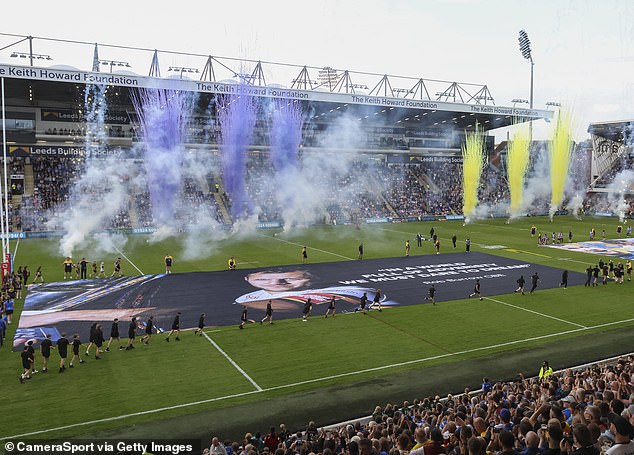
284 386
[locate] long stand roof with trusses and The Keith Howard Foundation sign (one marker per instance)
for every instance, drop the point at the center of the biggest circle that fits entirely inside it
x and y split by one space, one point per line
390 99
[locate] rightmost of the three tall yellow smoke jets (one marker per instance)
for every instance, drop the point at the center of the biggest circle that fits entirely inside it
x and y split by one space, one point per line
560 151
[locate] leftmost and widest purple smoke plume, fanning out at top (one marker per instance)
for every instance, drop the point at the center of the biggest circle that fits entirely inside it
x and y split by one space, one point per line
163 117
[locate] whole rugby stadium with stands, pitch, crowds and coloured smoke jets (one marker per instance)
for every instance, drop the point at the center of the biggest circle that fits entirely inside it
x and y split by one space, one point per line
324 185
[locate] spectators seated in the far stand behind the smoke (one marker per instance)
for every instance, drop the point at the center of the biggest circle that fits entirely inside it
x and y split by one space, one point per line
364 189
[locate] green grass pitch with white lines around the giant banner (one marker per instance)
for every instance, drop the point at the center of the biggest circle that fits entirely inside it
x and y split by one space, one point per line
228 380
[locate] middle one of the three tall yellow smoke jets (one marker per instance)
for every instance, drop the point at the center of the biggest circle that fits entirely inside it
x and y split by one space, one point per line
517 160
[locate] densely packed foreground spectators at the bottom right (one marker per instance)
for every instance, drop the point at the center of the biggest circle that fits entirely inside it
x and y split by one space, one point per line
585 411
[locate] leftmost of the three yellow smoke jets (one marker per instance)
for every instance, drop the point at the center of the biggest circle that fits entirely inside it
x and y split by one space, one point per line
472 164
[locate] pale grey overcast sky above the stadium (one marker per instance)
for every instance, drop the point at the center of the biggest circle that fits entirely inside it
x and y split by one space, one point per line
583 50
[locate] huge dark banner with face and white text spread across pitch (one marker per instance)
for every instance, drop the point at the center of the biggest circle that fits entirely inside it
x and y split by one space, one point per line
71 306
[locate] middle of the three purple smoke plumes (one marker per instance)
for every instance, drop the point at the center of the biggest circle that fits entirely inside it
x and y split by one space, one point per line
236 117
